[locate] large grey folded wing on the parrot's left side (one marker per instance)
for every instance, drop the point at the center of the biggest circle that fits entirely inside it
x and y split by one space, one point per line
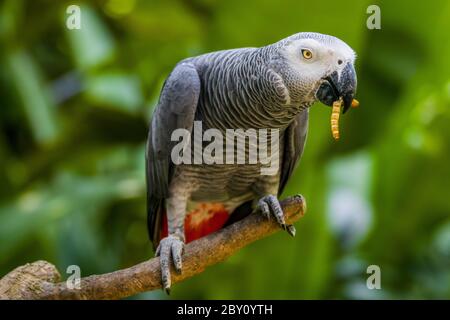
175 110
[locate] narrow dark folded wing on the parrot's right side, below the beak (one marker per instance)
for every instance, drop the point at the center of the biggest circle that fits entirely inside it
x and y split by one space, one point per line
294 142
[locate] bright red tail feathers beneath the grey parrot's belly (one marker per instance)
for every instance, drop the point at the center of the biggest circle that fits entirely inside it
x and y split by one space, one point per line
201 219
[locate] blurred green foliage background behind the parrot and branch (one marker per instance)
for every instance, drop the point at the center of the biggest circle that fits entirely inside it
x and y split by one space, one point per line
75 106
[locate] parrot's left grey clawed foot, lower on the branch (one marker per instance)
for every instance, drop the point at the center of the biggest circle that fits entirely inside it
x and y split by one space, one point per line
170 250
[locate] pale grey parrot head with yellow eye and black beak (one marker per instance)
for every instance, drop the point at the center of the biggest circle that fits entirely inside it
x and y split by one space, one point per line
315 67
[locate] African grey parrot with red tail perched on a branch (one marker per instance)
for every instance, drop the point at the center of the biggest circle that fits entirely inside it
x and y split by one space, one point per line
271 87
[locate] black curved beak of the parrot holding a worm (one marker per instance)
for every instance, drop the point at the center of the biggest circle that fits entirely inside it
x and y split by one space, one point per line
334 87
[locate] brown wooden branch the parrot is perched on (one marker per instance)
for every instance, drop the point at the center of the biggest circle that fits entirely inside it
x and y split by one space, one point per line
39 280
